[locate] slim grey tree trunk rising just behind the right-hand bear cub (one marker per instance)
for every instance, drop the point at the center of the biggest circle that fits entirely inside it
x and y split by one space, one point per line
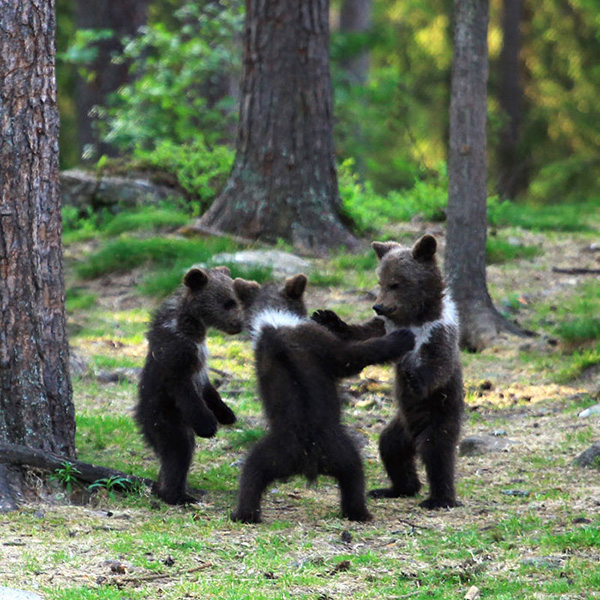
467 191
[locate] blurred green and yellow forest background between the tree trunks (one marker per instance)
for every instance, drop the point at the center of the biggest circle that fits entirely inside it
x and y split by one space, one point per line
391 64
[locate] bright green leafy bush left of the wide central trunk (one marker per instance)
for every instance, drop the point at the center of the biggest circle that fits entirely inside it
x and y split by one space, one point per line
173 68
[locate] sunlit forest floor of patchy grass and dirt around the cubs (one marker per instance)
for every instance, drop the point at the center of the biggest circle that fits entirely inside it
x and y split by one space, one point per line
529 526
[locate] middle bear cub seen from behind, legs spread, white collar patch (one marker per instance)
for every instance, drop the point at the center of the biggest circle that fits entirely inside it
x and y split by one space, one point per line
297 365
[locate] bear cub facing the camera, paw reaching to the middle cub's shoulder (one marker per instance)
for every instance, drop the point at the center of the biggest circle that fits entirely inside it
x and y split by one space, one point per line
429 387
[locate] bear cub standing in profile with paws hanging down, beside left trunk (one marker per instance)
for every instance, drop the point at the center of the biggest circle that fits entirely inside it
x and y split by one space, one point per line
176 398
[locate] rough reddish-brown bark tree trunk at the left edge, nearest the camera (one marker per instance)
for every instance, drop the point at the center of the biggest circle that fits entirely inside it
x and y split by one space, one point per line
36 407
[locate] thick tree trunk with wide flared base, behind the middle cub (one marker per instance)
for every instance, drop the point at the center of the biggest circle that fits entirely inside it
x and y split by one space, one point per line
284 180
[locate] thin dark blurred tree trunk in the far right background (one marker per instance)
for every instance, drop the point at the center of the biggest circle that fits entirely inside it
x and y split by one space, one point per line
511 166
